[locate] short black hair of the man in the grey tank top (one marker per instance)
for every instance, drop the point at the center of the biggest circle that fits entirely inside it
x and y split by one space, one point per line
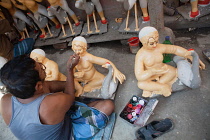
20 77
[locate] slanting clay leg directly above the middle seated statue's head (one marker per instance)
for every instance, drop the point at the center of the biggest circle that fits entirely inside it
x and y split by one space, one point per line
65 7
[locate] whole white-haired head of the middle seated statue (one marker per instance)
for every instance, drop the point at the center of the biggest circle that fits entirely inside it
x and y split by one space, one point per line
79 45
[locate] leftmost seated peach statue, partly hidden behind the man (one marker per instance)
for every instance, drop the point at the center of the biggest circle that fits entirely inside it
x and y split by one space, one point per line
51 67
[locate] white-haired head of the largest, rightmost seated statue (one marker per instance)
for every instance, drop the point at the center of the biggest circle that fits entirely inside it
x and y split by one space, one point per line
149 37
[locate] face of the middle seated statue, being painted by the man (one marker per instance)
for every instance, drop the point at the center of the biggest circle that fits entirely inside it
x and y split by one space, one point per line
78 47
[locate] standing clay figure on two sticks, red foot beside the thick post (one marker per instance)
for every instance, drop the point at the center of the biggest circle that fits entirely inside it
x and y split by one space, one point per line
128 5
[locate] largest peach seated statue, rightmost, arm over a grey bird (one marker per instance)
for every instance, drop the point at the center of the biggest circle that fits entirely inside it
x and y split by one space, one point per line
155 77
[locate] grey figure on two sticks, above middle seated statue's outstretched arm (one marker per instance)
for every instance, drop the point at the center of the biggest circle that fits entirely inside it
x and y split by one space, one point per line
89 9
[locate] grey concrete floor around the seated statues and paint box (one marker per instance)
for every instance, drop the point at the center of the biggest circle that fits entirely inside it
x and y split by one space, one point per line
189 110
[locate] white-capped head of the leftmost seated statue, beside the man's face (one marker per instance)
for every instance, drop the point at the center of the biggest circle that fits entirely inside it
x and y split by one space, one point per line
38 55
